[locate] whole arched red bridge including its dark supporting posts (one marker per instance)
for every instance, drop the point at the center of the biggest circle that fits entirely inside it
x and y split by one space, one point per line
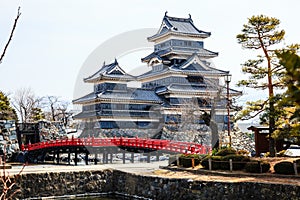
107 146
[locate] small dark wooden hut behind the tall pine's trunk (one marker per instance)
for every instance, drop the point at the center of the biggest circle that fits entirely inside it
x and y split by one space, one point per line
261 136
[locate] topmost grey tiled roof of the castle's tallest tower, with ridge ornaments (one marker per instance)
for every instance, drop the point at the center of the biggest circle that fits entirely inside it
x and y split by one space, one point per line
174 25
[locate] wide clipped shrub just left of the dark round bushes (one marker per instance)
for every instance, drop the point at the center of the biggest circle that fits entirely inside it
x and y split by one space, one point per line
238 162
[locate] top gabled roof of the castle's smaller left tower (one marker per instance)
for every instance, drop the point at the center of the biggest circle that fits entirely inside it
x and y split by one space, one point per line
110 71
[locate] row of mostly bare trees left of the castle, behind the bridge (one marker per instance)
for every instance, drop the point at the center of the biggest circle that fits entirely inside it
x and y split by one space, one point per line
25 106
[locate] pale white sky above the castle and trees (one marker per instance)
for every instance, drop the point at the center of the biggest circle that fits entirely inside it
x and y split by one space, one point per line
55 39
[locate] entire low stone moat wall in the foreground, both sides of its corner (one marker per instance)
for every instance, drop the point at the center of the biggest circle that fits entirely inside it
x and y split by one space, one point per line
151 187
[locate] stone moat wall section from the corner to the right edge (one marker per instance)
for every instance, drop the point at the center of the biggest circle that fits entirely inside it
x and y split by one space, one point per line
165 188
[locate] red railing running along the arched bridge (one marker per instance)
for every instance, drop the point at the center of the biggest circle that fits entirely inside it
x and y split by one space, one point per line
155 144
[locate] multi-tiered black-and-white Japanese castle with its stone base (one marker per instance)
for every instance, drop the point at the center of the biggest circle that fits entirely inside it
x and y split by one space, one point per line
180 98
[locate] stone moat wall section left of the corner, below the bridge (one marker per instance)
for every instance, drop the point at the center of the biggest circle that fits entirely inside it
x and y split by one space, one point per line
64 183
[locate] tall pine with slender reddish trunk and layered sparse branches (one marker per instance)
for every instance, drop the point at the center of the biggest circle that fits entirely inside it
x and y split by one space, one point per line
261 33
